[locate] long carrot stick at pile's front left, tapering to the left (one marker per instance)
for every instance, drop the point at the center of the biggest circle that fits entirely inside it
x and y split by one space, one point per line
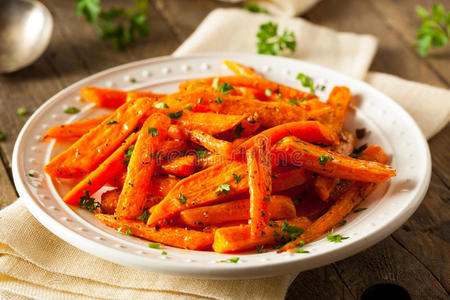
172 236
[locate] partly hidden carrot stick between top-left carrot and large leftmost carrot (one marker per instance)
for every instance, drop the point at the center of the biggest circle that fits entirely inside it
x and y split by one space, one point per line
73 130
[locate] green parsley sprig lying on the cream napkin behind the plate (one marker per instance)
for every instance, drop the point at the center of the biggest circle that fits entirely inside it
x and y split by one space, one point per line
270 43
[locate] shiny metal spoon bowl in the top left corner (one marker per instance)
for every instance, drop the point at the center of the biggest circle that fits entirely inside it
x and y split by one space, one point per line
25 31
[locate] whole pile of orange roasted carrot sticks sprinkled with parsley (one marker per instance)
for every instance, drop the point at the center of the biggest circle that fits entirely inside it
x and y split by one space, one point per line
228 163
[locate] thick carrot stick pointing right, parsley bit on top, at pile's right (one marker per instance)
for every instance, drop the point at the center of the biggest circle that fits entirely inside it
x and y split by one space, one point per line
332 164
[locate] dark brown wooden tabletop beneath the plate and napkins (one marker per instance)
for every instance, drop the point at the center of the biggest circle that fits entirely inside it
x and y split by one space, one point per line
415 257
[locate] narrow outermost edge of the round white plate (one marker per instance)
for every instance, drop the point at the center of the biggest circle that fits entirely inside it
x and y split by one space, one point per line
225 271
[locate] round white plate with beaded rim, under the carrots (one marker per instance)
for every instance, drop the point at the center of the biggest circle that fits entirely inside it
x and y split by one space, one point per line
387 208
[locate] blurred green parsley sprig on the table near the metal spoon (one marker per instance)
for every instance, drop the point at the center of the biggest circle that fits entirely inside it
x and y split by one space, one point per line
116 24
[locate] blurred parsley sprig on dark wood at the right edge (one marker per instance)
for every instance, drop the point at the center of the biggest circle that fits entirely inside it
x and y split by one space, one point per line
434 30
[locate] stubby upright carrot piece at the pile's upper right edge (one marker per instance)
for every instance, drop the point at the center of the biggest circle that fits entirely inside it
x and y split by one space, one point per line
339 99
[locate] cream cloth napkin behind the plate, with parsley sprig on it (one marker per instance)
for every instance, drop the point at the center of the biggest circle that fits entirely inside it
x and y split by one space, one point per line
234 30
